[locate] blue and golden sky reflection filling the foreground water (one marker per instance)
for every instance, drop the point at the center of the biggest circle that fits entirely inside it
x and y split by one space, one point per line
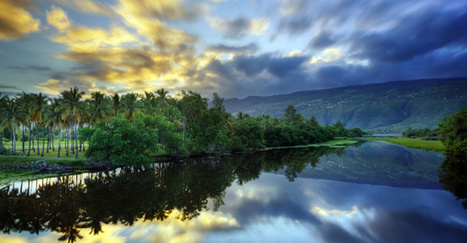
271 209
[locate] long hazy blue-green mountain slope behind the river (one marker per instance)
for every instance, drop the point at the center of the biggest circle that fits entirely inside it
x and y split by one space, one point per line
382 108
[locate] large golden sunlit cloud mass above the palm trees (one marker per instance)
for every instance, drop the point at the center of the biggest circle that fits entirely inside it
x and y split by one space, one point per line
103 56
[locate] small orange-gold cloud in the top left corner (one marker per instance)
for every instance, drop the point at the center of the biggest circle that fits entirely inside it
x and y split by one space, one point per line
15 21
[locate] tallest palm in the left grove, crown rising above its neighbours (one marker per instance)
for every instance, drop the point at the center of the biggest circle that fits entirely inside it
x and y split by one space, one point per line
73 107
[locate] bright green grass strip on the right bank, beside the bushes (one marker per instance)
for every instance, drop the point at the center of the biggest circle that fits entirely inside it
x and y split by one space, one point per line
417 143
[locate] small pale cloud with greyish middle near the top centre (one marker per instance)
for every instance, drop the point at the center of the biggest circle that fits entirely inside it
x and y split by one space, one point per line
239 27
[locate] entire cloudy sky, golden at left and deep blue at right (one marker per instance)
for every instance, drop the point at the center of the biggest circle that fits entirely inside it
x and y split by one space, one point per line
237 48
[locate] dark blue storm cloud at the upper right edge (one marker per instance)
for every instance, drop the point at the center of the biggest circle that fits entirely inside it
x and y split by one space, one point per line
415 36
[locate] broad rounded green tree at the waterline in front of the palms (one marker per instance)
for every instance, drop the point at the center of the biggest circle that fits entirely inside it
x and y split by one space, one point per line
122 143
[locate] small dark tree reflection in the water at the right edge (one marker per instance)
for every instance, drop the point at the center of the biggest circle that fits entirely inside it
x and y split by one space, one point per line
453 174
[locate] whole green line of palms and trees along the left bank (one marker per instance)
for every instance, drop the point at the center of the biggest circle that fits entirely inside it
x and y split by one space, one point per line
123 127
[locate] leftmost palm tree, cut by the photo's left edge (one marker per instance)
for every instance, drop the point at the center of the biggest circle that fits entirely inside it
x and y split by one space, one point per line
12 116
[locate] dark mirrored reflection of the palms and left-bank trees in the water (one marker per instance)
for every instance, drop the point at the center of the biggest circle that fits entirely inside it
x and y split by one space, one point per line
71 204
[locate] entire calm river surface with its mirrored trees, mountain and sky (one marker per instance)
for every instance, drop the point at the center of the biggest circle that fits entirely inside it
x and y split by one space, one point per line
374 192
